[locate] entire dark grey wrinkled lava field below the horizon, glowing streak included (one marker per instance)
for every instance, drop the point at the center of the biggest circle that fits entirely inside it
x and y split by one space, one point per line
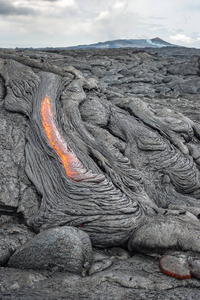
100 168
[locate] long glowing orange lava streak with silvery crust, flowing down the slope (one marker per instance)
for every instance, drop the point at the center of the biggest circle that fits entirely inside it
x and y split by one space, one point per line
74 168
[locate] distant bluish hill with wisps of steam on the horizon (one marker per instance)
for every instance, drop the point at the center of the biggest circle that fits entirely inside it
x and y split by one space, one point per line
122 43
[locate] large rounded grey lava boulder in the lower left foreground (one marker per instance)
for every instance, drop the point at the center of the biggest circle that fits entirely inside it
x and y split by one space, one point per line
61 248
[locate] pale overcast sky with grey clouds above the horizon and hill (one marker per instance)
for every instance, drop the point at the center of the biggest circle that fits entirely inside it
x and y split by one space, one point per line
57 23
